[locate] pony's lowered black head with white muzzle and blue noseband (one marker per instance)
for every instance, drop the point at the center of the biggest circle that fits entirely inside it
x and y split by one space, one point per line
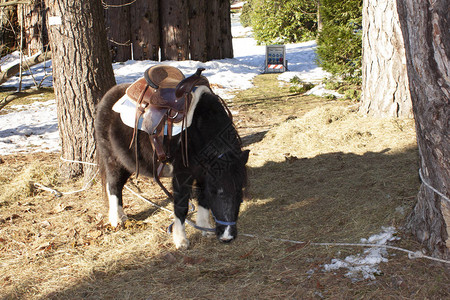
224 184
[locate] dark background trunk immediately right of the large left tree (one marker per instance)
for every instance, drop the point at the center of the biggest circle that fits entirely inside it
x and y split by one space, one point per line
118 24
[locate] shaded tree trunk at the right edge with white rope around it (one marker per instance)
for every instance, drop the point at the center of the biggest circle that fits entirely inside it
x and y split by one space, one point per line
427 38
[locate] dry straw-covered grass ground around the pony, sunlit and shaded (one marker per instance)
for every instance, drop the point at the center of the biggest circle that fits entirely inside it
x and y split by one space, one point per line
326 174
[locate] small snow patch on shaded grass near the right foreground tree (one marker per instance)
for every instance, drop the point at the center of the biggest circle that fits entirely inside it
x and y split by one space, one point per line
366 264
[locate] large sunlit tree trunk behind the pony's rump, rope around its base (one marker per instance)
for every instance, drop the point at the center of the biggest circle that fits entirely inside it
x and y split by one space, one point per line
82 73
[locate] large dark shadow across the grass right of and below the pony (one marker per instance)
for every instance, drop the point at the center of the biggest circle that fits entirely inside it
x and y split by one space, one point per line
329 198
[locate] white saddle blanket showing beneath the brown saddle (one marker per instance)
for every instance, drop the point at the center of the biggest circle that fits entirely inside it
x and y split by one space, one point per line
126 107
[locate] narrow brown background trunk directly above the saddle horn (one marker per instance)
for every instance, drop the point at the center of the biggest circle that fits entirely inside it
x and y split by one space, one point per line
197 30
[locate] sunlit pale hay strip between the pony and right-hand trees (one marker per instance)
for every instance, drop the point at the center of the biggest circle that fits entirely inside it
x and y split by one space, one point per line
333 129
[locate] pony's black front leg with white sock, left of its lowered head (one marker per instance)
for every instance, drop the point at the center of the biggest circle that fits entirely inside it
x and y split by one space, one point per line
182 187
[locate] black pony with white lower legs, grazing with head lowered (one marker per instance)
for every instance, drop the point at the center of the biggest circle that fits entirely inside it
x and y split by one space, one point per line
214 170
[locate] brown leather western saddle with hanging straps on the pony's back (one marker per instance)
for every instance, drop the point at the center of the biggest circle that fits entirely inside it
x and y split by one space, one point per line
163 97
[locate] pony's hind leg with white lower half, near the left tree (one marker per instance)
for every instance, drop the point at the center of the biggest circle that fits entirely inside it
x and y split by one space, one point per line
114 187
